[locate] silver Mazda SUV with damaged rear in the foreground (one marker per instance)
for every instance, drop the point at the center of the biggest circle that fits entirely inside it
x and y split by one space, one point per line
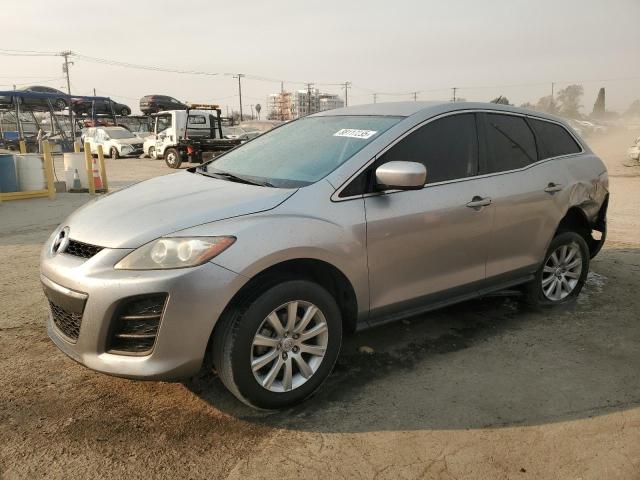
334 222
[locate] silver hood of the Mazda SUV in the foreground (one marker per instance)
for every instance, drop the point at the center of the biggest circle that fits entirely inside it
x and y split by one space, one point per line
143 212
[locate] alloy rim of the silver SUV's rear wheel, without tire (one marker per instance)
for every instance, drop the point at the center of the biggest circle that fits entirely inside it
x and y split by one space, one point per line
561 272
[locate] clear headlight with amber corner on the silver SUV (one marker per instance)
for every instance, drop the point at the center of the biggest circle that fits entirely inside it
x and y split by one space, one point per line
175 252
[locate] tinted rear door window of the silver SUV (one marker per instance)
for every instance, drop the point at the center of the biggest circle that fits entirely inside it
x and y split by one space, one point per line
510 143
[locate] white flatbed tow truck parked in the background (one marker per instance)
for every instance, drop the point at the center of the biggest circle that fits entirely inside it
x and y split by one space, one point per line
184 135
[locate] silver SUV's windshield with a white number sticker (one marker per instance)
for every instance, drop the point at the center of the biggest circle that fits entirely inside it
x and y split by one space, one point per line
304 151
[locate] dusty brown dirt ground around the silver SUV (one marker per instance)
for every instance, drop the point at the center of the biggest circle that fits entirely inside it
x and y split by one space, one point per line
486 389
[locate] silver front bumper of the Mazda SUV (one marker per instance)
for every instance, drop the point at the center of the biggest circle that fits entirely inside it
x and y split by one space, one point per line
196 298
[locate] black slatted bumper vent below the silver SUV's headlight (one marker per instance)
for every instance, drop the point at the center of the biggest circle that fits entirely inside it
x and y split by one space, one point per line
135 324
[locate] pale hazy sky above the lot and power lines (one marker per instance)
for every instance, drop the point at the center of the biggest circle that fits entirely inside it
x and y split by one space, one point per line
381 46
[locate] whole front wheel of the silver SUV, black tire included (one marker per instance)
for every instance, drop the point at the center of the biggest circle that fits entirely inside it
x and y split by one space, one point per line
234 350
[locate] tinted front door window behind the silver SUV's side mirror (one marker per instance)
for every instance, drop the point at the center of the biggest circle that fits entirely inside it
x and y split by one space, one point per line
448 148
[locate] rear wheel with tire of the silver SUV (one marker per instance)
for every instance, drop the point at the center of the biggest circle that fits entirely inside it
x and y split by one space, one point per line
570 275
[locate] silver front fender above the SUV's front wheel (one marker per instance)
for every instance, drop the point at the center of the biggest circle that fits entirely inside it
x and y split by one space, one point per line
263 240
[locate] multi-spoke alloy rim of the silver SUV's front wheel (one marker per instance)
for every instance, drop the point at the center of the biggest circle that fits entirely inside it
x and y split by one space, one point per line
289 346
